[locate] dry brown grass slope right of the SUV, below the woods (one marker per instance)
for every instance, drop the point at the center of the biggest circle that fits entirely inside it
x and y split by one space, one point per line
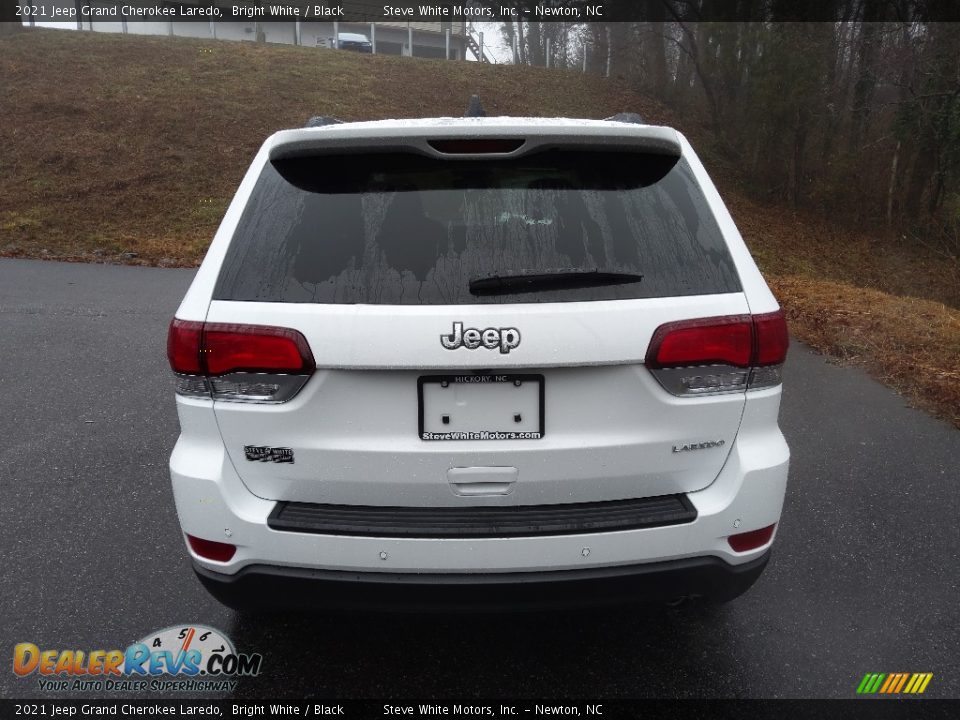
863 298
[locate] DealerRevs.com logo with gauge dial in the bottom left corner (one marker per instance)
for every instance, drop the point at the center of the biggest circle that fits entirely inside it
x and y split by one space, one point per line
178 658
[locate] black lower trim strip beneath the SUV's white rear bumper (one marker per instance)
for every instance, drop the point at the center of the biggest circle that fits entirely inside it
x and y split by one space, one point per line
264 586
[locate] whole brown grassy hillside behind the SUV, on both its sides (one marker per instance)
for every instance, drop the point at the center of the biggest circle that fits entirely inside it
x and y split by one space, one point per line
128 149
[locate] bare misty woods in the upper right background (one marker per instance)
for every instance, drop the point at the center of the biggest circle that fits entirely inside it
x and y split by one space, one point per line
857 114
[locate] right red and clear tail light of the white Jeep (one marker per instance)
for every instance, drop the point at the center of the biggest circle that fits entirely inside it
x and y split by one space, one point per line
722 354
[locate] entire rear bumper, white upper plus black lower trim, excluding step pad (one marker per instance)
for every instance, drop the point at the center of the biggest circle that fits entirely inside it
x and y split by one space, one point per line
600 565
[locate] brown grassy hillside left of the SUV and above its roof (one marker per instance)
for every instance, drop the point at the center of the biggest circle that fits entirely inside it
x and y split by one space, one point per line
135 144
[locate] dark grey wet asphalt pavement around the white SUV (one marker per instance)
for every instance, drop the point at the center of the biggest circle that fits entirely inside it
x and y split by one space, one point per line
864 576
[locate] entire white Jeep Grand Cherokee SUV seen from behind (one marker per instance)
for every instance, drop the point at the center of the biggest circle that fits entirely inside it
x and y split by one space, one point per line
477 363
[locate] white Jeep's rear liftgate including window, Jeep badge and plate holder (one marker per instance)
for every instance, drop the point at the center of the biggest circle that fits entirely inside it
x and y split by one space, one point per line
479 317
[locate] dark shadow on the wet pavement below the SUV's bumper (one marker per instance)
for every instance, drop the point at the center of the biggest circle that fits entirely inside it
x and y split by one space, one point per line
595 653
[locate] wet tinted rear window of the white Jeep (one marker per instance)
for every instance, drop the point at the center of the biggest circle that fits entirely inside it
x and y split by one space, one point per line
404 229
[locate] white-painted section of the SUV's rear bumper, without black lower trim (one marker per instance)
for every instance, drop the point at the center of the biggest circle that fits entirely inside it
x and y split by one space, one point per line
213 504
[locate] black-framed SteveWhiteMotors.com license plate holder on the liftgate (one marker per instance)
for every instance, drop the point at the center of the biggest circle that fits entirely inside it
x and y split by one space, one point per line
492 406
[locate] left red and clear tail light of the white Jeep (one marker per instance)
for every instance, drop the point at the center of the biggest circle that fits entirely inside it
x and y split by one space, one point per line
248 363
